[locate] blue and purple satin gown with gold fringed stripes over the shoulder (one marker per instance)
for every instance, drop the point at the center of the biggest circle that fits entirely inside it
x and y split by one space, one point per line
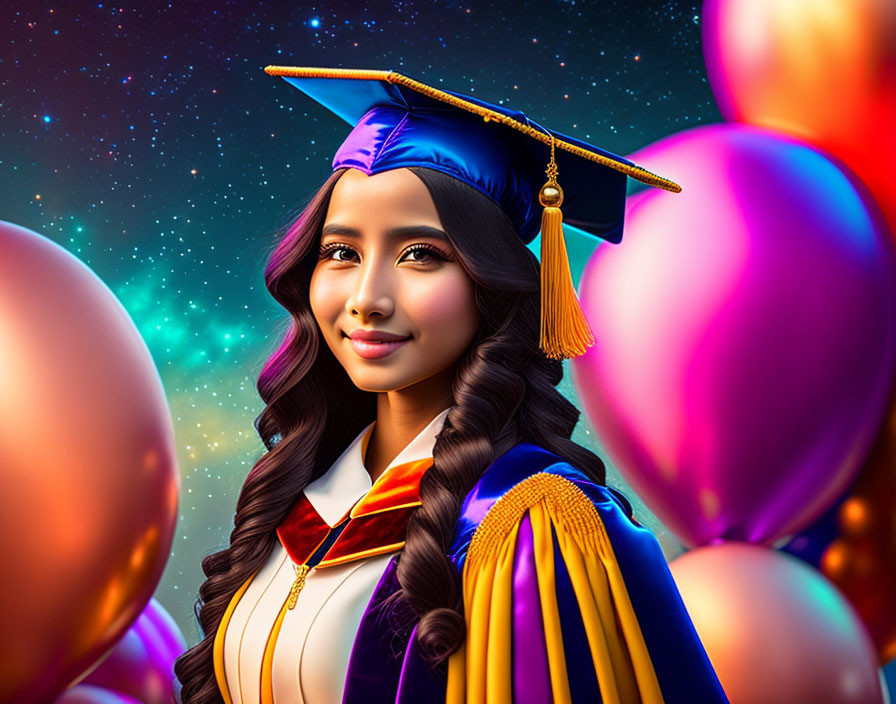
566 599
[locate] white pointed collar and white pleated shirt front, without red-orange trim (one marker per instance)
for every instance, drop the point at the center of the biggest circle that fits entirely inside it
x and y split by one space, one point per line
312 649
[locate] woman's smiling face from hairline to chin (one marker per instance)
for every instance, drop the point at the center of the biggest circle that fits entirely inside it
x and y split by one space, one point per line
392 300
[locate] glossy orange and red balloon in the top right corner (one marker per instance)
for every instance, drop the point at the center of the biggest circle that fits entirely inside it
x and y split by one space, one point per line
822 70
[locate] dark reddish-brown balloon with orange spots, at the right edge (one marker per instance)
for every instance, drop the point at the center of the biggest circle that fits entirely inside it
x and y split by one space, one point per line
861 561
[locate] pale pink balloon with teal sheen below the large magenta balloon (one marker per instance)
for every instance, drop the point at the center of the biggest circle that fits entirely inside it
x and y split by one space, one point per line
776 631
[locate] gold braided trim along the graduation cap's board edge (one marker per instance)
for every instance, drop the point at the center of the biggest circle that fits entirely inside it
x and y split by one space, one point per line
635 172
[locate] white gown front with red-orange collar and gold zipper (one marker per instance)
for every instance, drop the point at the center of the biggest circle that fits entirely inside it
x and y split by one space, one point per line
264 650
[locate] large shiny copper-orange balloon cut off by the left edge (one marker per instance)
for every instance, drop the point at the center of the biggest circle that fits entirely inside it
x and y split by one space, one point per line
88 473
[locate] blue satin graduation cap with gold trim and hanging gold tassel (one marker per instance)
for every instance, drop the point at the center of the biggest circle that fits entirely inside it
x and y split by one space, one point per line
400 122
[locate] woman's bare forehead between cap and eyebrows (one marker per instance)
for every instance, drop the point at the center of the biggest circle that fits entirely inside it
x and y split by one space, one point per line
395 196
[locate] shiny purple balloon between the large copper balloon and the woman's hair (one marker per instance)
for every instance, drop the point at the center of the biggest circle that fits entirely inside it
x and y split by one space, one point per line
142 663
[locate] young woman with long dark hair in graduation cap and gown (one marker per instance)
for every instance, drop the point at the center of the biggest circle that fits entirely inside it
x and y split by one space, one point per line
422 528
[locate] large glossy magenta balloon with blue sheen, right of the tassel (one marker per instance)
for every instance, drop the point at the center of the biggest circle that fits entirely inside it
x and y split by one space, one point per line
746 333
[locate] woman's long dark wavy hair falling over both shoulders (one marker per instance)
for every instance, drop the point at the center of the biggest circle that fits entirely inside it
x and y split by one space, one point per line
504 393
